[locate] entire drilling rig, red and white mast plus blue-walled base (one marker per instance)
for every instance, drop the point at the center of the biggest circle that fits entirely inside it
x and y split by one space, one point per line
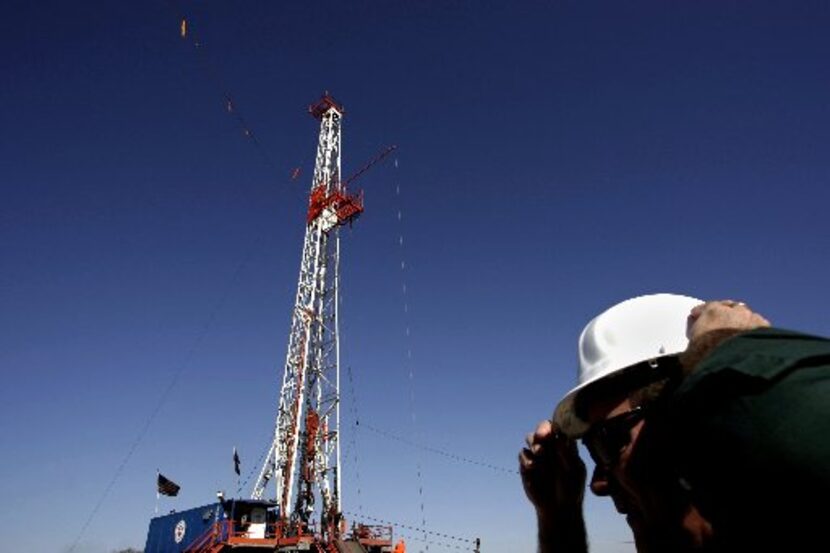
302 466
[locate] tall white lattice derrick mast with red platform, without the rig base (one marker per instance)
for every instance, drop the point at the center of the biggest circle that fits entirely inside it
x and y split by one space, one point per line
303 463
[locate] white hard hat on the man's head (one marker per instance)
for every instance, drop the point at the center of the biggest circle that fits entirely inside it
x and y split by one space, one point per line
640 329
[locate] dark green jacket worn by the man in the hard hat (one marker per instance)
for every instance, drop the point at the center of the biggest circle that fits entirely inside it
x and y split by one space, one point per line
750 429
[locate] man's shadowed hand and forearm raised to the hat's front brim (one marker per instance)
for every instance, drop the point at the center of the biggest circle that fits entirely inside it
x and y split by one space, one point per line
554 480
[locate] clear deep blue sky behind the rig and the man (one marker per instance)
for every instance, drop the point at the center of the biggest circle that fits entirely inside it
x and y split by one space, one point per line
554 158
